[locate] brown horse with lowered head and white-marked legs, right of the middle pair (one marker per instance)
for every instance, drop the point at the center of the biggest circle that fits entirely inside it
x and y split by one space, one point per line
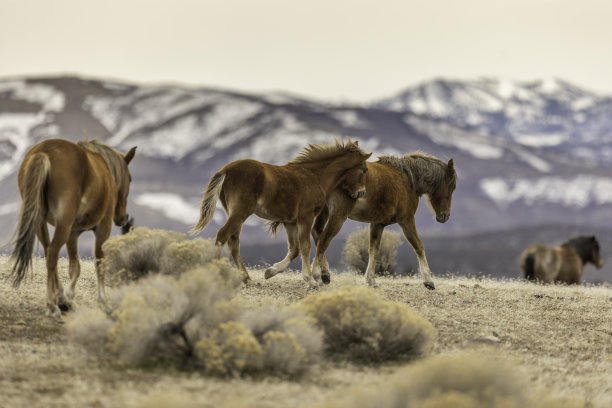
394 186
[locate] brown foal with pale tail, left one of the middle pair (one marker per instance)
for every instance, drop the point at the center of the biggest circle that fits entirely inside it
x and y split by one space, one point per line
292 194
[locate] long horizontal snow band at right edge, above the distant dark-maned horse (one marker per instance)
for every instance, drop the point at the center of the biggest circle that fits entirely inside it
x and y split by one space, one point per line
578 192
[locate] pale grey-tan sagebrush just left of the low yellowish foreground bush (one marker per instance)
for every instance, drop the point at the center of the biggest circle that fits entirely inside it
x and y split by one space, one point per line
160 318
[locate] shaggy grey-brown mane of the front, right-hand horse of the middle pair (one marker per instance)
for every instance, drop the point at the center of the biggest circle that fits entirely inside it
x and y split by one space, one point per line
425 171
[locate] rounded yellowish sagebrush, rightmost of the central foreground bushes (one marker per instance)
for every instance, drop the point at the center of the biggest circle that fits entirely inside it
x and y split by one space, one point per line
361 324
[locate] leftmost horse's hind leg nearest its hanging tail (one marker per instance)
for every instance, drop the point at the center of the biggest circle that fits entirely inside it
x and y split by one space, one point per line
56 301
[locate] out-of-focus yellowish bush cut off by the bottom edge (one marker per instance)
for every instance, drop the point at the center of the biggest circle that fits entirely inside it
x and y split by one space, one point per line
461 380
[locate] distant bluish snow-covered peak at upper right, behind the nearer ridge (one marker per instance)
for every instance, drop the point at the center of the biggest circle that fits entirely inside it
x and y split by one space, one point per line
550 114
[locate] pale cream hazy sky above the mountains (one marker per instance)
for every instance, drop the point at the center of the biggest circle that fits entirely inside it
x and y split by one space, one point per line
341 50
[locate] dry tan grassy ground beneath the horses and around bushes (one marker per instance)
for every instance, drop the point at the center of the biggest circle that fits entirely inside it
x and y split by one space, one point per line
560 337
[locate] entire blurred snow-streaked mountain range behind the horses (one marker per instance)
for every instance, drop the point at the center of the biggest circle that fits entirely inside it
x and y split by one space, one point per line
533 158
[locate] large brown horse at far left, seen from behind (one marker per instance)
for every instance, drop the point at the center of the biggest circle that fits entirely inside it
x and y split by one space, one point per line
75 187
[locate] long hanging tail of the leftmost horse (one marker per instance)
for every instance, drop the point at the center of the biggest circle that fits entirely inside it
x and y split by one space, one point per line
32 215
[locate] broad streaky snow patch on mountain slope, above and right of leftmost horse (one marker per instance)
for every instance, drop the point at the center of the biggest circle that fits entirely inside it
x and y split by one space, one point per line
177 120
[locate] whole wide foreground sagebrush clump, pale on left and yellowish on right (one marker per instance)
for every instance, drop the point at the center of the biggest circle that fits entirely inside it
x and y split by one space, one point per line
196 321
